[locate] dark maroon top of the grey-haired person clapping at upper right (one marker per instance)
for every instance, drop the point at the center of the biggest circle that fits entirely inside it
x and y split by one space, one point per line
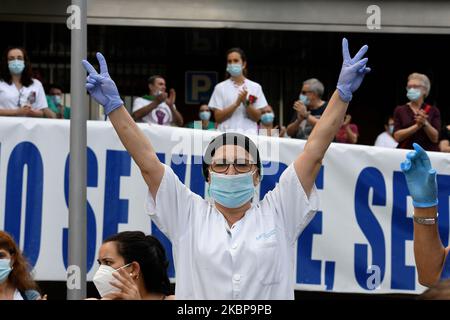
404 118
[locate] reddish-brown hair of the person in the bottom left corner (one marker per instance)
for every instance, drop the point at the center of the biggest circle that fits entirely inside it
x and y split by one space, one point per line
20 276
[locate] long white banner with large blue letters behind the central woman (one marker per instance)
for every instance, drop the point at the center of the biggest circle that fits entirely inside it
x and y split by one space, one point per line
360 241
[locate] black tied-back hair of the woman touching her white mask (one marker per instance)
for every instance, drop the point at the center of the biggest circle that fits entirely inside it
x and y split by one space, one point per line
135 246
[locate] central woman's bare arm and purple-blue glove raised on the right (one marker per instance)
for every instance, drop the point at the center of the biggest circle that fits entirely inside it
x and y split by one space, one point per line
308 163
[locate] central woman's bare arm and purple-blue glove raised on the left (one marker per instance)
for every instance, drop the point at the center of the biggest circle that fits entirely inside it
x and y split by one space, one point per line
103 89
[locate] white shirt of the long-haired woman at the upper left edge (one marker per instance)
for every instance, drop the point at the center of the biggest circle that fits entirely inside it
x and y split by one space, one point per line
13 98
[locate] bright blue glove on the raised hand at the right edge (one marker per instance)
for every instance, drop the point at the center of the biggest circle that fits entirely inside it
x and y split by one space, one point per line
420 177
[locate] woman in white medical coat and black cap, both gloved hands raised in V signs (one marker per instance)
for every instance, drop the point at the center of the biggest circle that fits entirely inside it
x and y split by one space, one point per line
232 248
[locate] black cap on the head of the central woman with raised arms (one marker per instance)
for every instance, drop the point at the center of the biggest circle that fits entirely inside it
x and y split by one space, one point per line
230 138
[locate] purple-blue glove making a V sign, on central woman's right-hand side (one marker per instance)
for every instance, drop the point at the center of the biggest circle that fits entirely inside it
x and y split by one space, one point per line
352 72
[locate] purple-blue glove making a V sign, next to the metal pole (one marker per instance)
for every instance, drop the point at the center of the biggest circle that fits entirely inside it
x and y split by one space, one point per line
101 87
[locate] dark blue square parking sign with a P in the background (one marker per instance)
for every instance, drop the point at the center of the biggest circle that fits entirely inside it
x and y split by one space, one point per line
199 86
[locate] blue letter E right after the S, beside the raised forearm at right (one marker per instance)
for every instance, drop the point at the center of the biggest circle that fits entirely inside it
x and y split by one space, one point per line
403 276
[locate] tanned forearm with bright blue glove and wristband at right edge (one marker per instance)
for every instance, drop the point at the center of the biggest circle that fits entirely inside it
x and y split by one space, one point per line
429 252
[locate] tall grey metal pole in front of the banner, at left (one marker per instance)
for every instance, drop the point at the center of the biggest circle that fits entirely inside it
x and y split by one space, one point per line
76 273
